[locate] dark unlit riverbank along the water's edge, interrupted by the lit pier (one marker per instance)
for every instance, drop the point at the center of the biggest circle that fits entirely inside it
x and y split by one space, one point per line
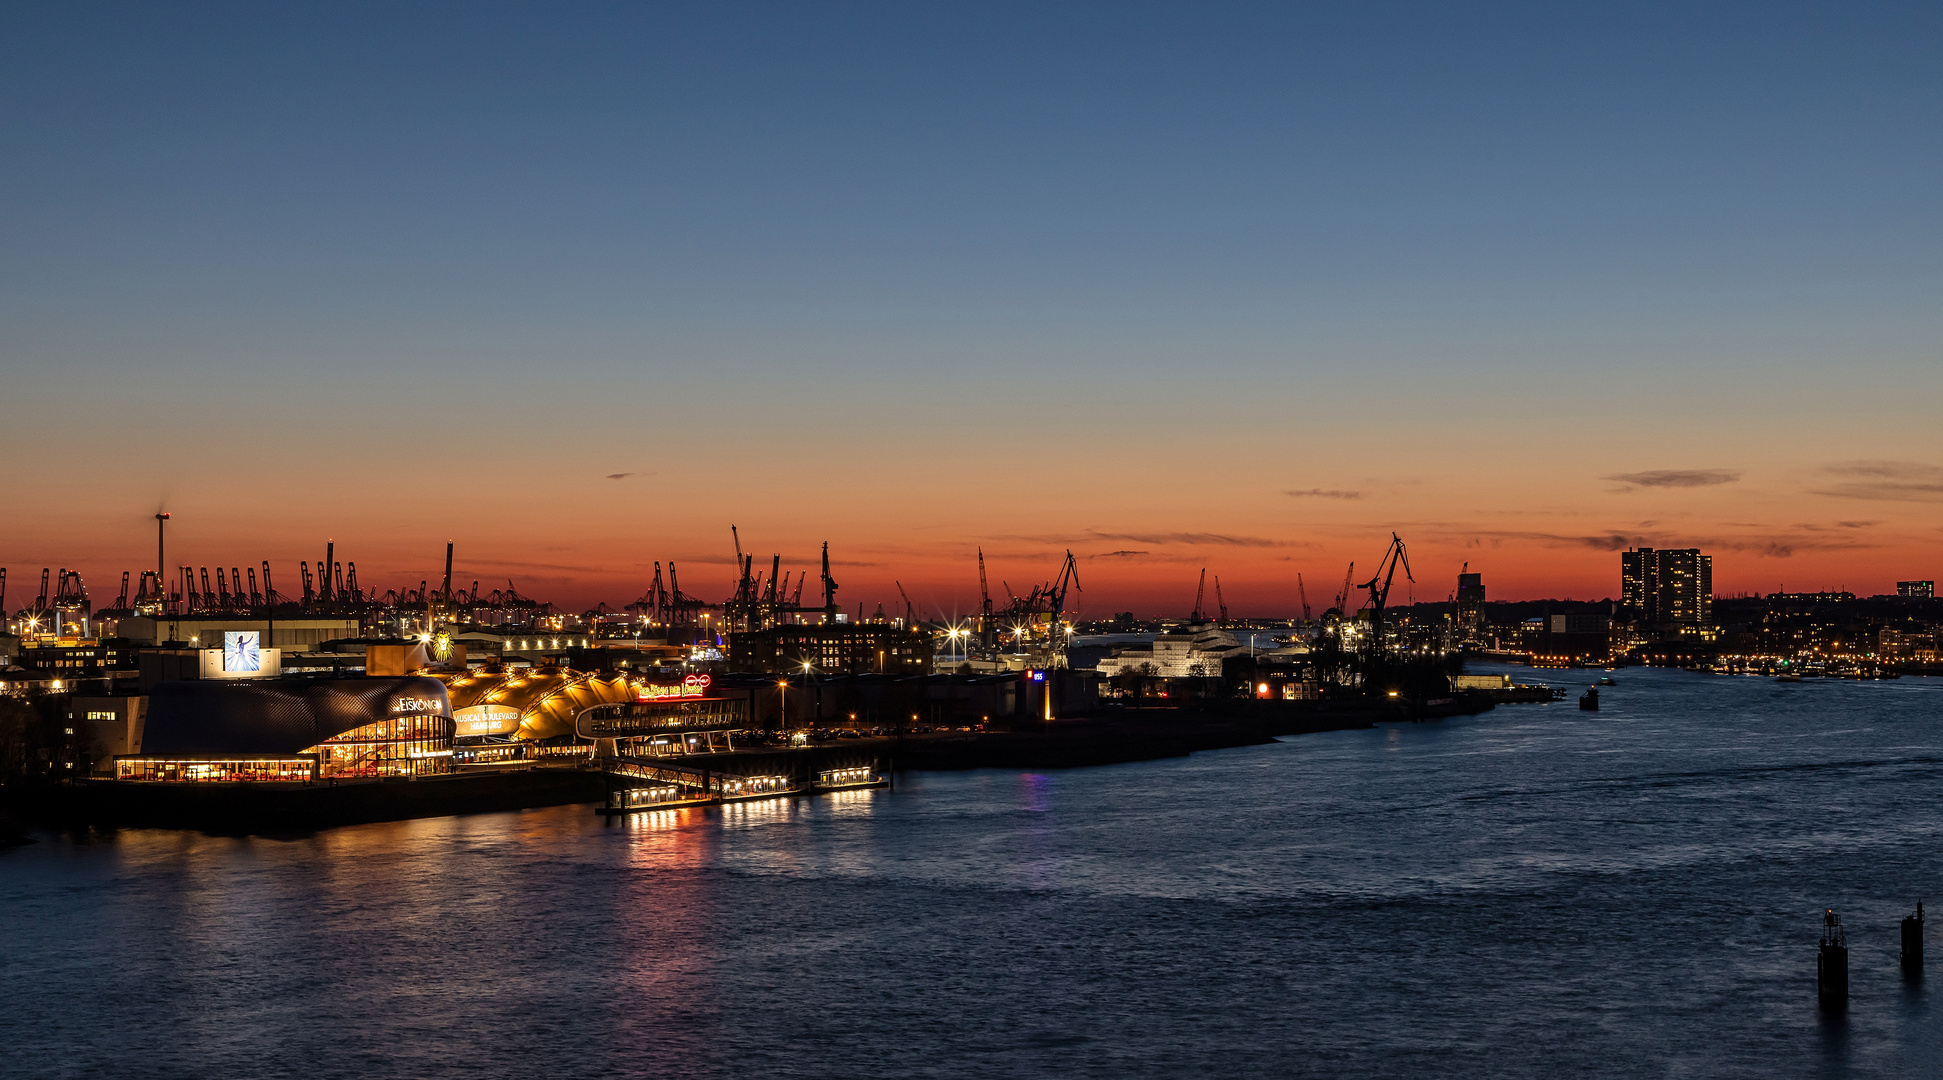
1108 739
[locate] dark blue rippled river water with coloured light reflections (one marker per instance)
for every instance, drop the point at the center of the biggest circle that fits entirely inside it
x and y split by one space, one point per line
1530 893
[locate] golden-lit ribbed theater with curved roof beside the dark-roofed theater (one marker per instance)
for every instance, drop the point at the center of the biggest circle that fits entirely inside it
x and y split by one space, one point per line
555 712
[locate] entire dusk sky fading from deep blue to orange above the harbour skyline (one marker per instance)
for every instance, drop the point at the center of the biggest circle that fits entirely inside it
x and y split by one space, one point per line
1171 287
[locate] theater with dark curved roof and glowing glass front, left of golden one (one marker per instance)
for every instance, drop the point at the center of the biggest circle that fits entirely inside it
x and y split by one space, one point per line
294 731
